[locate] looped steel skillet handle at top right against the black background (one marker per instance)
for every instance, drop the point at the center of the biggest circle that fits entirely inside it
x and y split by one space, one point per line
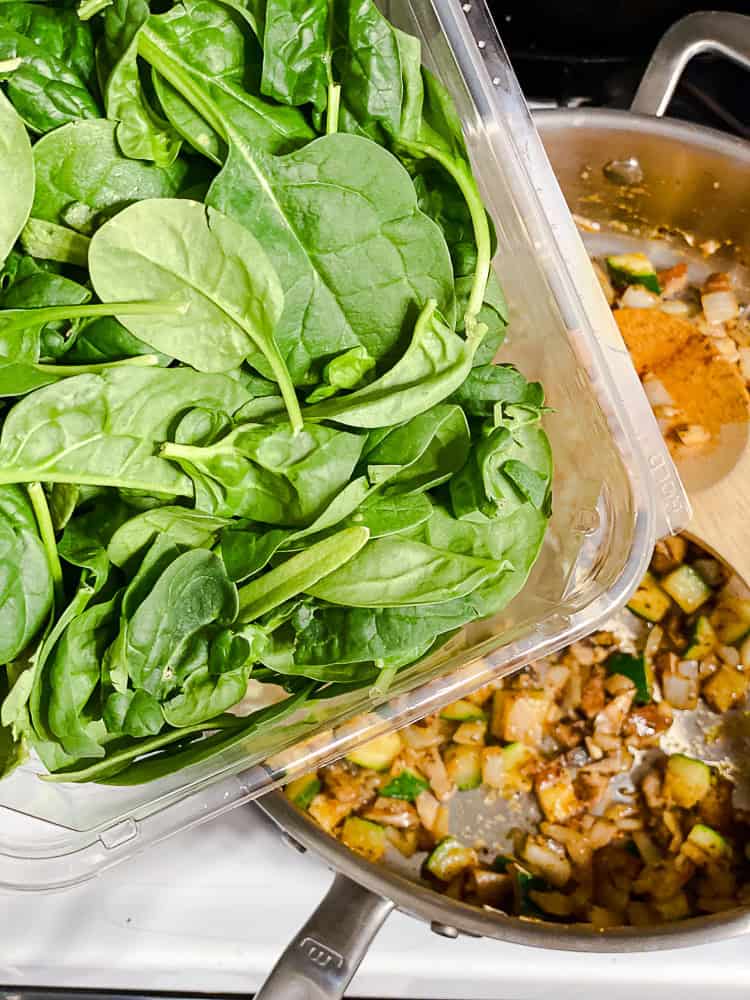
723 32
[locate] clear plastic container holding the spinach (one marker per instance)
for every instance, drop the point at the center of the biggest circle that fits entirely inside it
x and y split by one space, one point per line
615 492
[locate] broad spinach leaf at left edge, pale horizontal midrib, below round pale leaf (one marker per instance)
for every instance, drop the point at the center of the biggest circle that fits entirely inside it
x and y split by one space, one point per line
104 429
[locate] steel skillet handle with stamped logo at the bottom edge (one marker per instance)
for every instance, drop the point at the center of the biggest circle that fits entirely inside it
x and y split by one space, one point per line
324 955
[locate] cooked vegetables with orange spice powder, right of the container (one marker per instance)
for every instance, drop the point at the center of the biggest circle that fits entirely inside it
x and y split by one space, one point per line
690 344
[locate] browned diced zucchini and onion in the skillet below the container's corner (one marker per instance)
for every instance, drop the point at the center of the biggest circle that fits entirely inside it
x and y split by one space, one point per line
599 840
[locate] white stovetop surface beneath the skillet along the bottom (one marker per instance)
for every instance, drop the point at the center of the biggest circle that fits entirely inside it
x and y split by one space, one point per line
208 911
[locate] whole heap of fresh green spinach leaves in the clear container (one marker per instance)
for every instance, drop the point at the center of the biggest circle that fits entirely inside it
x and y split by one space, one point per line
253 449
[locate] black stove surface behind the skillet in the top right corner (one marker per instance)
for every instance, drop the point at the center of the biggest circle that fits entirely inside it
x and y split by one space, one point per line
580 57
